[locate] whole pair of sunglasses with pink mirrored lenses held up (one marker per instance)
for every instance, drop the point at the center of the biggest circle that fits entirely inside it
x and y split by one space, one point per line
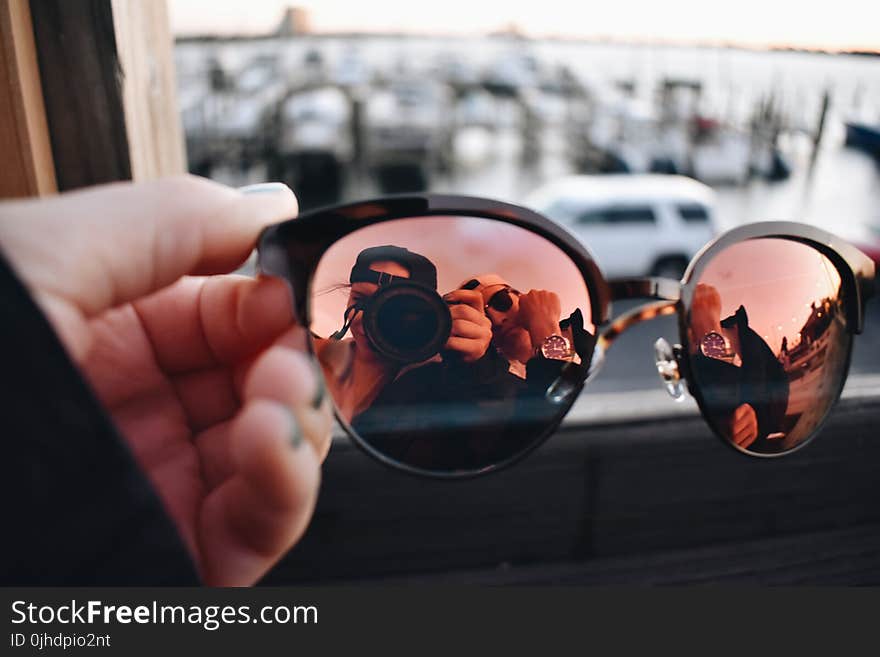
766 313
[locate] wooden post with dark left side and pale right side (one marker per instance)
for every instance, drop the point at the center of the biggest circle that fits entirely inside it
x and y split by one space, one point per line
108 81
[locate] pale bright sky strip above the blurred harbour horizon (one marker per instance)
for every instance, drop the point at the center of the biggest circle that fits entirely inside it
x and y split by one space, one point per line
838 25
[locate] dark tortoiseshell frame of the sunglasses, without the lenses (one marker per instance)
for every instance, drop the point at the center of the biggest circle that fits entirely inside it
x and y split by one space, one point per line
292 249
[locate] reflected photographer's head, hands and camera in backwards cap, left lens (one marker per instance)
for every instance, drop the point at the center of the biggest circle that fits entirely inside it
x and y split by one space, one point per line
397 321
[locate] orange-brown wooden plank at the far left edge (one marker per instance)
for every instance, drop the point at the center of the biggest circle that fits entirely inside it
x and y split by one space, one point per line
28 169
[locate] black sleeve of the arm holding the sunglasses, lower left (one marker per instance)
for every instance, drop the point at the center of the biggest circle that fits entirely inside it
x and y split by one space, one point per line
77 510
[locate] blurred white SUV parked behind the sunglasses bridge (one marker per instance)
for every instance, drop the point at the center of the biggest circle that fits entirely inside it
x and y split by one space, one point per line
635 225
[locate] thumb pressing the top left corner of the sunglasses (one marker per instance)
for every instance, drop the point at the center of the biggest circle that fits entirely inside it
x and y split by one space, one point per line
104 246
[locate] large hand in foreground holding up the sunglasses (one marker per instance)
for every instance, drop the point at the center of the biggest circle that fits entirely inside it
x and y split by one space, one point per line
204 376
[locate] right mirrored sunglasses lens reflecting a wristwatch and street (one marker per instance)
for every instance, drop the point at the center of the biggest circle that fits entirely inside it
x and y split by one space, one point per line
769 343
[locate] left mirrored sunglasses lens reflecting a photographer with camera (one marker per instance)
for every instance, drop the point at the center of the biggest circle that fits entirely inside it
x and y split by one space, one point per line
421 378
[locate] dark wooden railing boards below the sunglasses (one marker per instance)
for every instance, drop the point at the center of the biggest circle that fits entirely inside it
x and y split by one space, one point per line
625 492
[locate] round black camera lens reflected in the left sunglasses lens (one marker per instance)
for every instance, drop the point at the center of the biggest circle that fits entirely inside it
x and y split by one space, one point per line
406 322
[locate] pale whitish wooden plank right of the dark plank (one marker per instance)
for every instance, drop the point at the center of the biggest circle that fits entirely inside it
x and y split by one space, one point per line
145 47
